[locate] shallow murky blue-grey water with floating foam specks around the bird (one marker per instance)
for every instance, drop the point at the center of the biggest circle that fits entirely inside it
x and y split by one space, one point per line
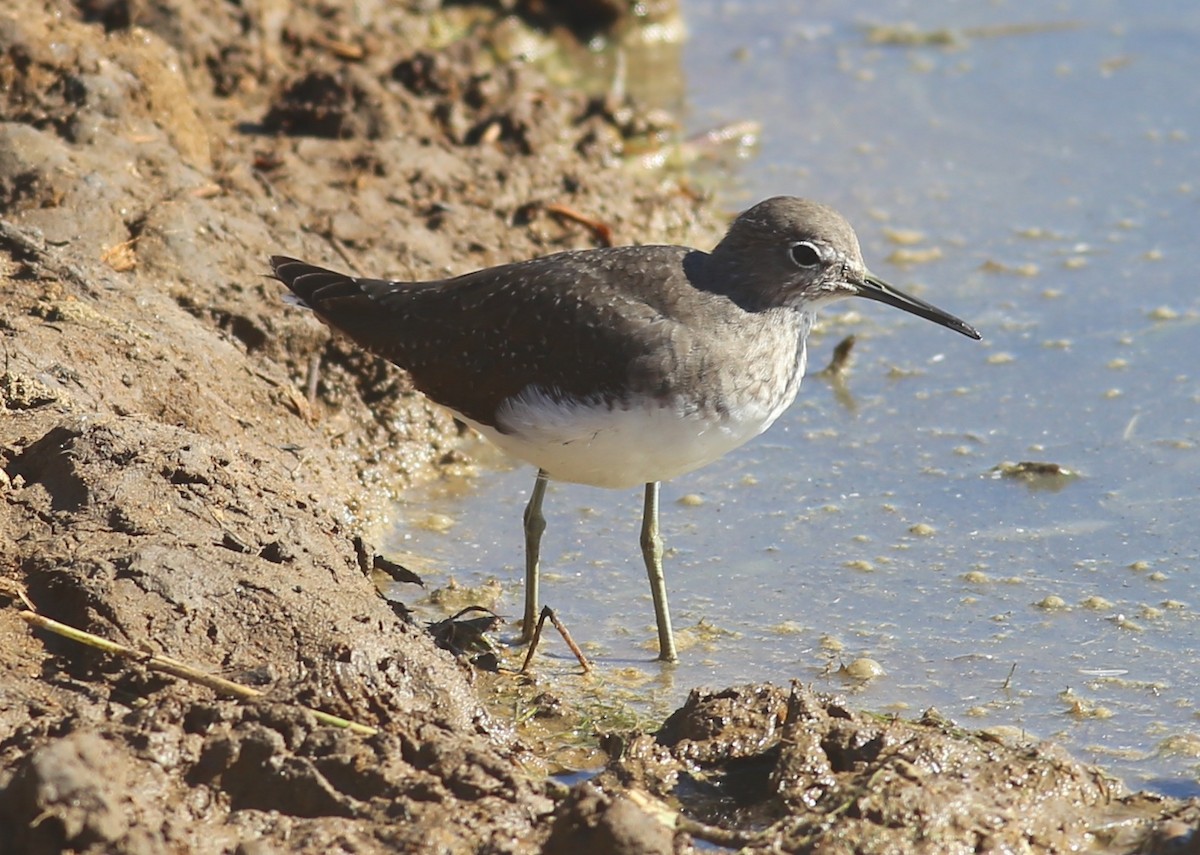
1047 160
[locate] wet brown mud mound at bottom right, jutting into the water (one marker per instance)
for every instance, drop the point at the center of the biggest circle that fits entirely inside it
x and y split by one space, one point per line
764 769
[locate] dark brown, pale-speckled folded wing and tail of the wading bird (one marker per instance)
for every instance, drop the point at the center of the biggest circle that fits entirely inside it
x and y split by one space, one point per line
577 325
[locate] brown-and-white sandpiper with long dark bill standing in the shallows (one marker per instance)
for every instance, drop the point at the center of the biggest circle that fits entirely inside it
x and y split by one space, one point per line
616 367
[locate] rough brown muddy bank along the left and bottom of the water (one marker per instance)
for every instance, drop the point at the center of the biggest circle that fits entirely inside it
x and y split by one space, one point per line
178 475
